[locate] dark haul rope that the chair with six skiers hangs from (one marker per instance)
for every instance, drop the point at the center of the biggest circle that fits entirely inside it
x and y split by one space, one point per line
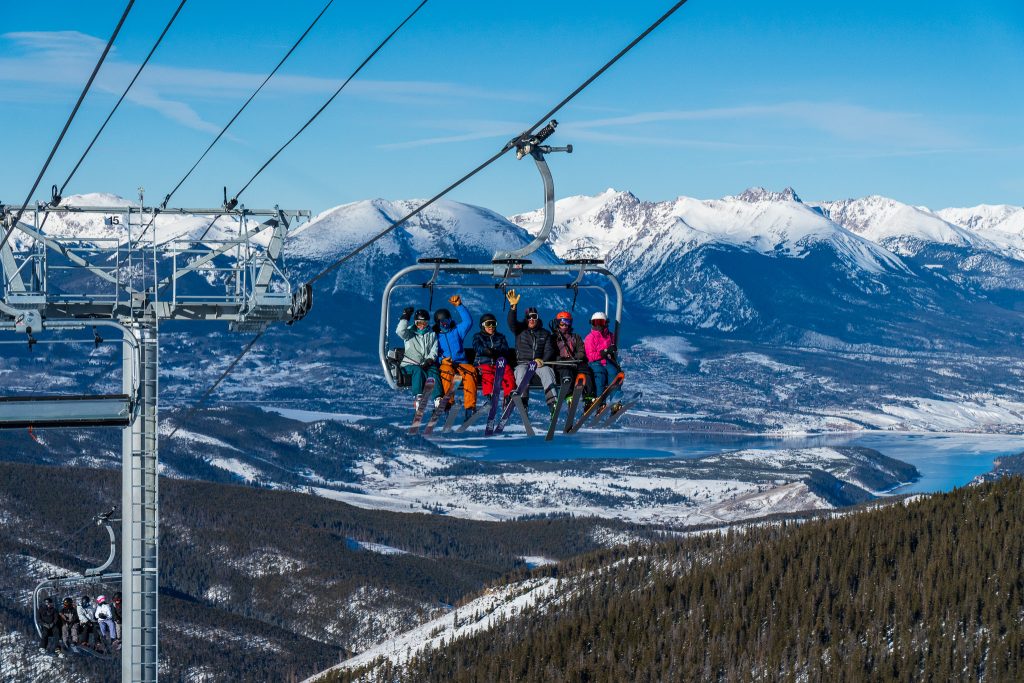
511 144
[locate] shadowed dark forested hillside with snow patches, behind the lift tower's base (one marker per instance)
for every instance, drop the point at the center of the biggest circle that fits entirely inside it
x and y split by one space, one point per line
267 585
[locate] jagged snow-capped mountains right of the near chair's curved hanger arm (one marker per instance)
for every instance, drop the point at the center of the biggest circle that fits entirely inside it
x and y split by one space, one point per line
767 266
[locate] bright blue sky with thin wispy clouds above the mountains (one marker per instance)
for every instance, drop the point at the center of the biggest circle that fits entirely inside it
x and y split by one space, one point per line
917 101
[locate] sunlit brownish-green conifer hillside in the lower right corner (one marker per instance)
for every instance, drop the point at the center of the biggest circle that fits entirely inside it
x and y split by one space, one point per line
931 590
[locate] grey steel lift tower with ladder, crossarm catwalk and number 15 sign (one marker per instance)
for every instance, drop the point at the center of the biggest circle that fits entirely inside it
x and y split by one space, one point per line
150 266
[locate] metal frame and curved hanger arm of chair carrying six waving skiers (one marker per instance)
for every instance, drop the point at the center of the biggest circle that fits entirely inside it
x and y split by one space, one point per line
508 270
